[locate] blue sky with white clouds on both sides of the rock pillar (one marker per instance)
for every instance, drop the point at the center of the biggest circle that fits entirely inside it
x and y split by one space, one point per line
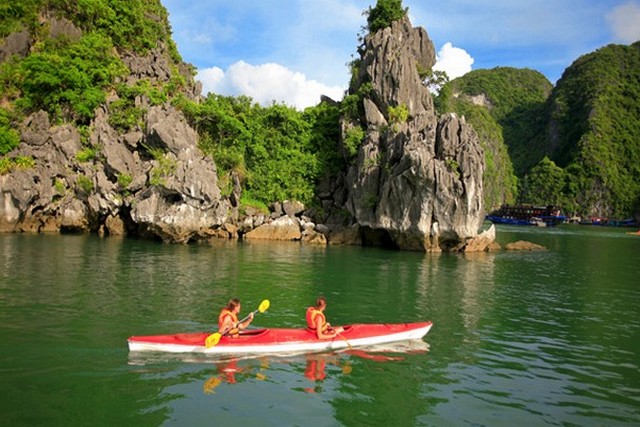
294 51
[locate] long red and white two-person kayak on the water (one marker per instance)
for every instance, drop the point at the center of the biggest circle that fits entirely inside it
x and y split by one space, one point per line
281 340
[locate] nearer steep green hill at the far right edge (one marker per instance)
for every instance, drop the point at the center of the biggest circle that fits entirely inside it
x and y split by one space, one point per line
595 111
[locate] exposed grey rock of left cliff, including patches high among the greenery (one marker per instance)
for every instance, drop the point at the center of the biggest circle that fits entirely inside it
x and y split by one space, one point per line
151 180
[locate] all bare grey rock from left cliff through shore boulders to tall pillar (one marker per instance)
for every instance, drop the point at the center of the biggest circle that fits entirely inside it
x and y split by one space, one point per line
415 184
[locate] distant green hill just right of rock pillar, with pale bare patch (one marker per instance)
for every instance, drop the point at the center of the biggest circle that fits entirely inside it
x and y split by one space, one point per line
500 104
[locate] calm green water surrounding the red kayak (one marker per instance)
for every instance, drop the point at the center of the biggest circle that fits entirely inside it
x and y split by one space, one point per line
540 338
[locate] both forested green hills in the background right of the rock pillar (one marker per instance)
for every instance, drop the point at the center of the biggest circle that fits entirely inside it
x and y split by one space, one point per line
576 145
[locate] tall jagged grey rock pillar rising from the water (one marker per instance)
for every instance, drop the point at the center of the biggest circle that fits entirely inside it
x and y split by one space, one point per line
417 181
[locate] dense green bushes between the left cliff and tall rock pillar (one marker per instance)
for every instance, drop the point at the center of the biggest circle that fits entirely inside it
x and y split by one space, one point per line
278 152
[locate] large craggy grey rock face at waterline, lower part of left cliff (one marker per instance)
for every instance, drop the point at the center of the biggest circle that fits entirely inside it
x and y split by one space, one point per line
174 197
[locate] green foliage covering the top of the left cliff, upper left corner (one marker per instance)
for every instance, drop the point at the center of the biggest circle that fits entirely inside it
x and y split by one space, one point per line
69 75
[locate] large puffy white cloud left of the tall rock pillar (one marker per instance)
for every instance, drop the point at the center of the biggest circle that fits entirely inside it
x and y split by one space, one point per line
267 83
